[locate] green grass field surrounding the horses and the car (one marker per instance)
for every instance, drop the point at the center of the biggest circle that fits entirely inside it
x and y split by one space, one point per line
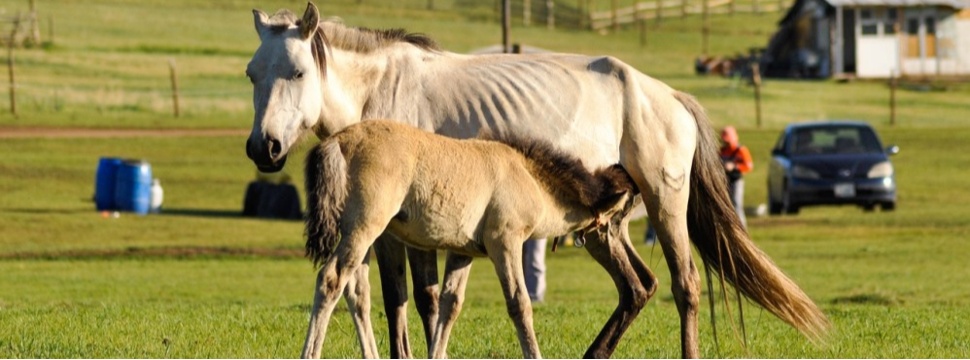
198 281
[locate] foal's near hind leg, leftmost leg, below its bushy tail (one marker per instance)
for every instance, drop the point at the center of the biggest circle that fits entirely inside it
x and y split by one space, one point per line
331 280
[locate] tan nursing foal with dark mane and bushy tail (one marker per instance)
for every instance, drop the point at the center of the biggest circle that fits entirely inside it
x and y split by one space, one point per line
471 197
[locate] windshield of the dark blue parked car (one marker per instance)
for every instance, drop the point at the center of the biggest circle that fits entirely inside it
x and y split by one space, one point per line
835 140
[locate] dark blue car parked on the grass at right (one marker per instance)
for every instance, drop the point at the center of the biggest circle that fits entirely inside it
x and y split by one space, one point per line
830 163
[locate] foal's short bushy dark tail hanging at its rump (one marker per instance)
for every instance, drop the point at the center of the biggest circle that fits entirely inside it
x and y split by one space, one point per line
326 190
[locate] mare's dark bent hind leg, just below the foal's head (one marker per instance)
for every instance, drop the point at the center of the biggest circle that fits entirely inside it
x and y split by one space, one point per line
634 281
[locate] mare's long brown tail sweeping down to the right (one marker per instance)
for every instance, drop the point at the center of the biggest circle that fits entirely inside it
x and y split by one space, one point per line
724 244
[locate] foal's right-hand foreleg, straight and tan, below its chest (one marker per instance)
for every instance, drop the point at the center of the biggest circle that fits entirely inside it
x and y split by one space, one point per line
506 256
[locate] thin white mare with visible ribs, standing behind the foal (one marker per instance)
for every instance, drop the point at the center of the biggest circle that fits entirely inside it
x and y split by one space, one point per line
319 77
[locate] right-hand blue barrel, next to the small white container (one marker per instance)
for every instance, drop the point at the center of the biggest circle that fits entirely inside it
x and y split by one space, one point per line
133 191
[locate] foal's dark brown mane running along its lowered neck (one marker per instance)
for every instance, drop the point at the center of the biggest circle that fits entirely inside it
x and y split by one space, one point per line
564 175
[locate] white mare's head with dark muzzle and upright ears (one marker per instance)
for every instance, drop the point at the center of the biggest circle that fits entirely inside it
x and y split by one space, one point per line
286 71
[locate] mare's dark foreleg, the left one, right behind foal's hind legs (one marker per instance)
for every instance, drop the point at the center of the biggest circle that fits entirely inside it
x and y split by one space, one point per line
391 262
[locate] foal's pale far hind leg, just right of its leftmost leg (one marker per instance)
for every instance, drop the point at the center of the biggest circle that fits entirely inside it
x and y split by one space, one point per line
357 294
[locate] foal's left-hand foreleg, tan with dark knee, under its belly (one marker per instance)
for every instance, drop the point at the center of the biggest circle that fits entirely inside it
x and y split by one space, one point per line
457 268
